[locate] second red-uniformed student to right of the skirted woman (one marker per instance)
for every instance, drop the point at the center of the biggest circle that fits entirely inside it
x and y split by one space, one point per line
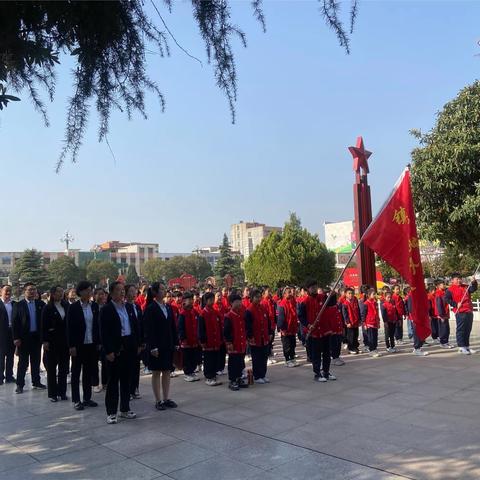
211 339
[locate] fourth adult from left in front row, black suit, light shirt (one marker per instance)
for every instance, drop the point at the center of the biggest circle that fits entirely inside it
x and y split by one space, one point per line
83 341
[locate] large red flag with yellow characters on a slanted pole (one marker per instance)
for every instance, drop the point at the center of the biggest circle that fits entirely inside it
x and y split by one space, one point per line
393 236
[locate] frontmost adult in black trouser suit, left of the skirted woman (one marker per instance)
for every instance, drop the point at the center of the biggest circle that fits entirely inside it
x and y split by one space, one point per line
119 333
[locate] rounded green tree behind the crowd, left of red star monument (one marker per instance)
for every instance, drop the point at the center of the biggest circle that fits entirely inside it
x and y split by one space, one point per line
291 258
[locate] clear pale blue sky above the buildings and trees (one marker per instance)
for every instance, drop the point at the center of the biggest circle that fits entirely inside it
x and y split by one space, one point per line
182 177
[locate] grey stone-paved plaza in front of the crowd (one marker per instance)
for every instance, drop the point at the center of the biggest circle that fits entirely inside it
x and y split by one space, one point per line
394 417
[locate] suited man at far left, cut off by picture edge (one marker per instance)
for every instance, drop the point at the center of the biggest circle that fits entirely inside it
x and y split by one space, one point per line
7 348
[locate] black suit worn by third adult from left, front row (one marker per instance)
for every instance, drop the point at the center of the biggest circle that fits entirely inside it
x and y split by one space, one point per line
54 332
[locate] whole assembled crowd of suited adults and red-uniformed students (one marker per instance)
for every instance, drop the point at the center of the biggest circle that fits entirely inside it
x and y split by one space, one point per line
104 337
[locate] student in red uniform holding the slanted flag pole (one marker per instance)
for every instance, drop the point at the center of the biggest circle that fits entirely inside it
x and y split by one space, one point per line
318 331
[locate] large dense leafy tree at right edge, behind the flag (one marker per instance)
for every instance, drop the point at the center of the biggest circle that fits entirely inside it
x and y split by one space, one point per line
446 174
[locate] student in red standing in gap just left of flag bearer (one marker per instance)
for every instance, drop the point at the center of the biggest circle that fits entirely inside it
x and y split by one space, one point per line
288 326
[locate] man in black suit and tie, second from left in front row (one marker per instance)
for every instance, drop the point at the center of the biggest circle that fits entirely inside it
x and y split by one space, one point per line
26 336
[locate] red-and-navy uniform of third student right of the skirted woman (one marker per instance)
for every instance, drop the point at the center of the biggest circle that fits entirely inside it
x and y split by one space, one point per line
235 335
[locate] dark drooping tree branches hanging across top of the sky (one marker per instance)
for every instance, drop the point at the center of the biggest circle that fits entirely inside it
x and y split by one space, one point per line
108 43
